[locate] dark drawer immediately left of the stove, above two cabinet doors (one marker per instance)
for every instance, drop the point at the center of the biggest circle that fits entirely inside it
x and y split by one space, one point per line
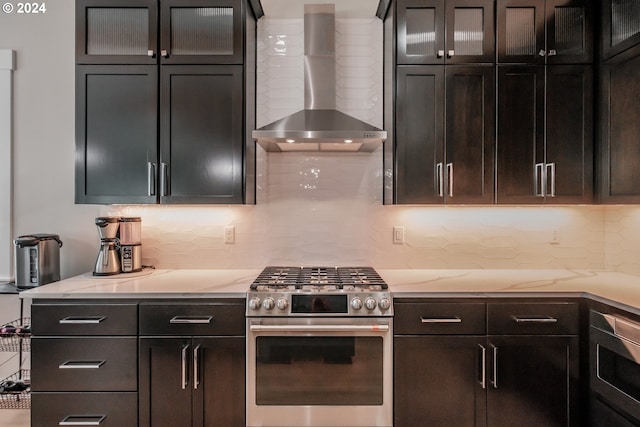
215 318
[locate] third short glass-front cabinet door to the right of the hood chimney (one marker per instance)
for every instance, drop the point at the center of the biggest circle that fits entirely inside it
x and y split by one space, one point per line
521 31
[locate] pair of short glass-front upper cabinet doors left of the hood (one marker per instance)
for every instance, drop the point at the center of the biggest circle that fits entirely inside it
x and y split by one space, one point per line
169 32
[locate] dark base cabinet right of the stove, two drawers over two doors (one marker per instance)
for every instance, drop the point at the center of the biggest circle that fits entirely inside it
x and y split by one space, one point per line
520 368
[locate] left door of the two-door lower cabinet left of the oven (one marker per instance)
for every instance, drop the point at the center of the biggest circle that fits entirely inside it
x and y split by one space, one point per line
165 382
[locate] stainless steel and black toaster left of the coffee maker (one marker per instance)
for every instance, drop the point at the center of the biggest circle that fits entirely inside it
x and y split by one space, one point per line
37 259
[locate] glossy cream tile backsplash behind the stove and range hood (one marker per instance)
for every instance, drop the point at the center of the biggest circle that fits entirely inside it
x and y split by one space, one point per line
326 209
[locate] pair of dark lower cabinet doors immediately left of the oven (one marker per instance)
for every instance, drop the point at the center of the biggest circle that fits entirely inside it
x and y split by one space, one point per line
192 381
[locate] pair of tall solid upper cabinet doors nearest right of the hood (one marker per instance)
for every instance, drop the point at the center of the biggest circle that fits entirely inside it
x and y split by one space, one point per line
444 134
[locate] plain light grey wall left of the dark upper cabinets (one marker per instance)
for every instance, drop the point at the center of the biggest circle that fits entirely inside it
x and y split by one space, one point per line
43 123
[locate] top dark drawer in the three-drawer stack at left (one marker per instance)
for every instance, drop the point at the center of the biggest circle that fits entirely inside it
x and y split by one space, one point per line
84 319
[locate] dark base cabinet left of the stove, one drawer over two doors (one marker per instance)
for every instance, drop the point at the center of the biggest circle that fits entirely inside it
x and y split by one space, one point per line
192 364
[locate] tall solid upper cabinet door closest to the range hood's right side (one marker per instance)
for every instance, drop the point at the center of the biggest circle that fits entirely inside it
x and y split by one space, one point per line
420 135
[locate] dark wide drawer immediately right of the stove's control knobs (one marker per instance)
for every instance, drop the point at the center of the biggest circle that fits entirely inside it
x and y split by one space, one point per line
439 318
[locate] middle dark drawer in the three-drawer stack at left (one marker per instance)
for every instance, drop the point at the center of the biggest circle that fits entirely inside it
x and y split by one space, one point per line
84 364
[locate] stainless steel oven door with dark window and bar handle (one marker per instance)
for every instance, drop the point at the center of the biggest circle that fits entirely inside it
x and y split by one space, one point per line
319 372
